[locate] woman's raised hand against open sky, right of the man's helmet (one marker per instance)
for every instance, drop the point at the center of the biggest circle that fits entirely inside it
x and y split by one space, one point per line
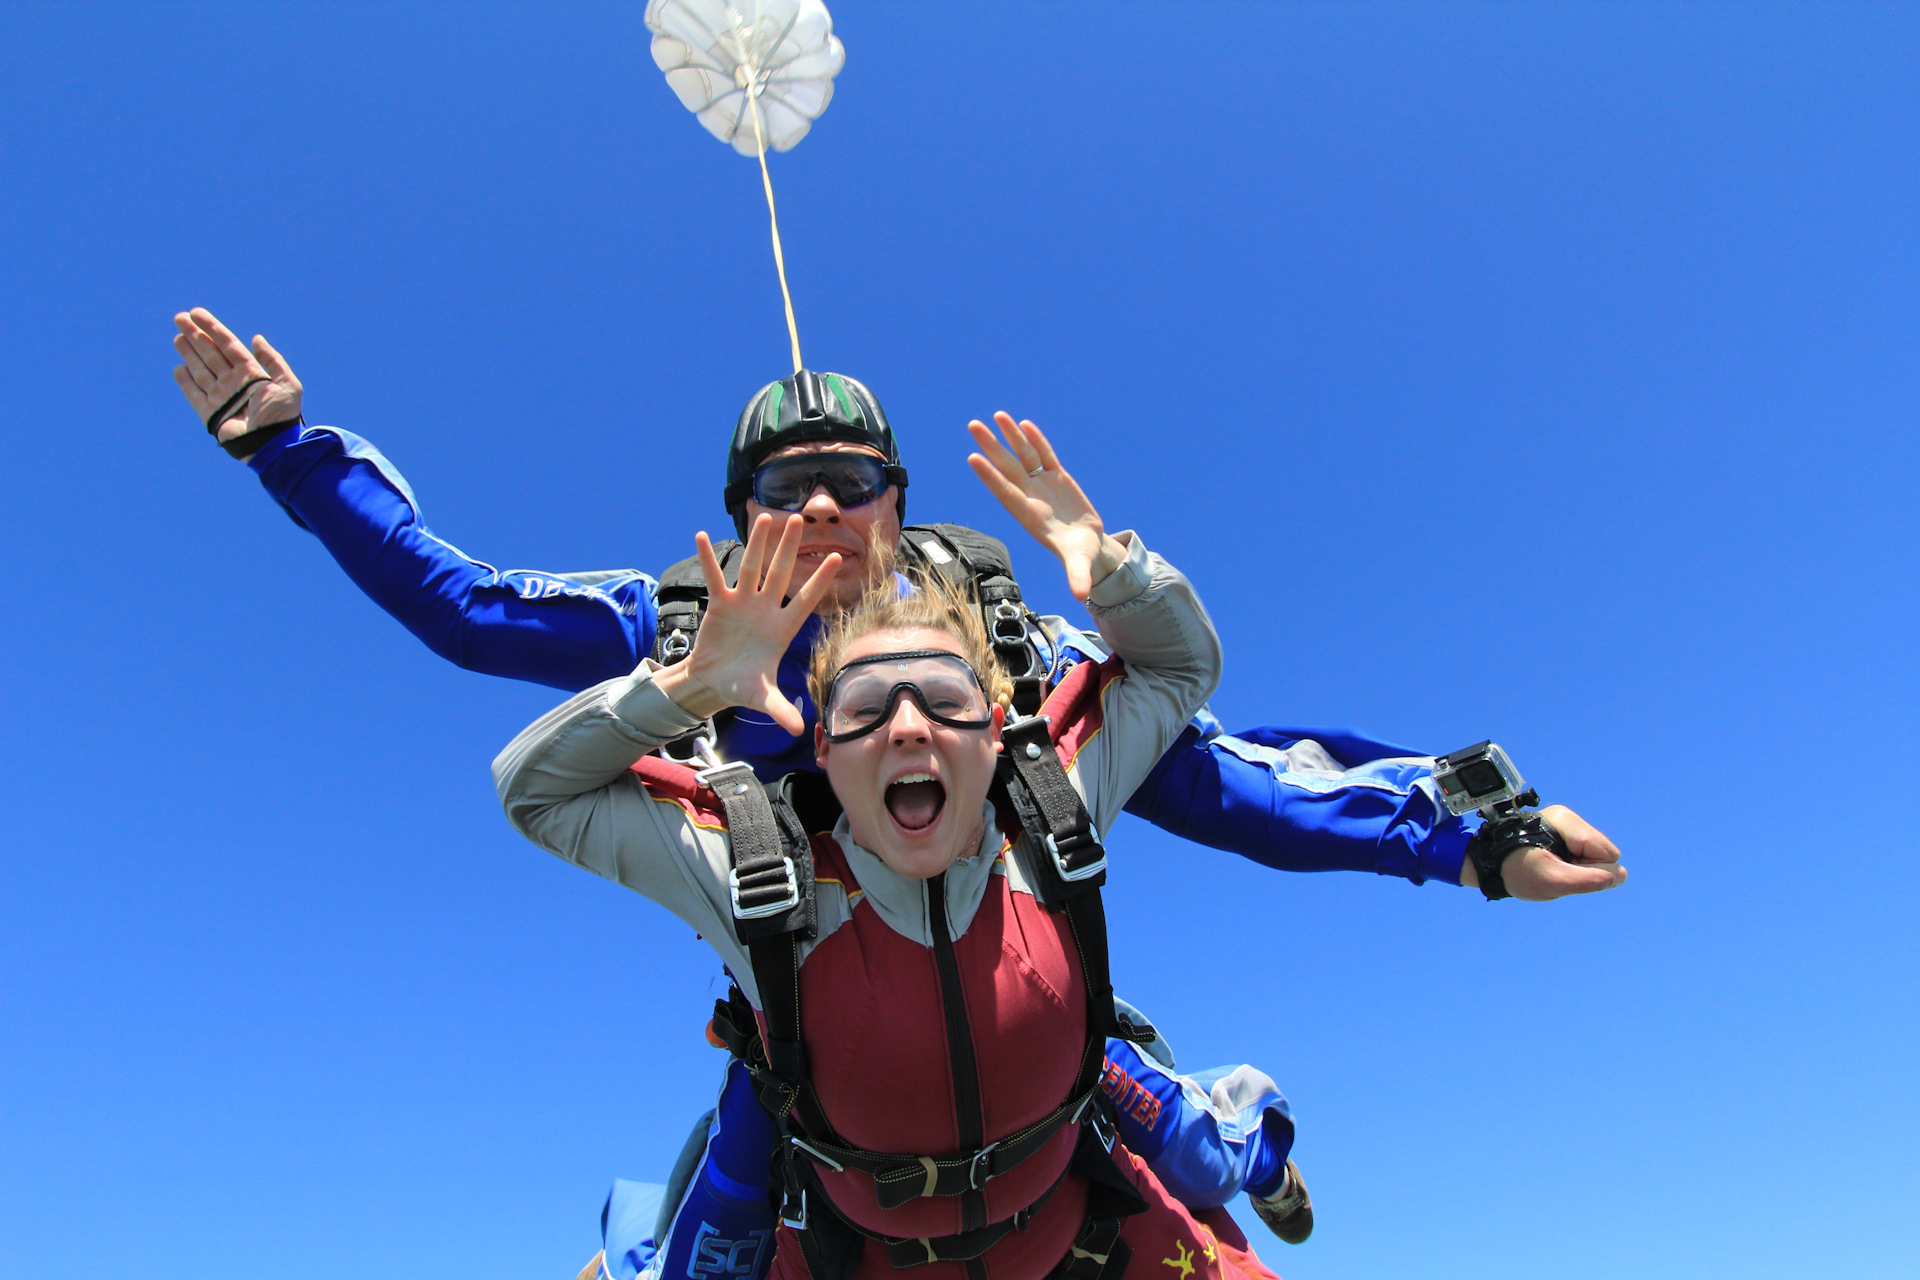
1028 479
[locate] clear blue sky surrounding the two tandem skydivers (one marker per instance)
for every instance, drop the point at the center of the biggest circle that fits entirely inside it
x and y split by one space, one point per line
1541 373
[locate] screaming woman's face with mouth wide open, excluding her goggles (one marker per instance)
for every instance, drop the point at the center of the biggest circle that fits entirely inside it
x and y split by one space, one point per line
915 790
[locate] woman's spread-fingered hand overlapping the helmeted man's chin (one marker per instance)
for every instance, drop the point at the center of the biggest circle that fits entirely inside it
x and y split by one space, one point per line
748 628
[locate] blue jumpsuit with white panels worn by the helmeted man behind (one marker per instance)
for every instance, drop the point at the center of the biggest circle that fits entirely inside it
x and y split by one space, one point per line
1289 799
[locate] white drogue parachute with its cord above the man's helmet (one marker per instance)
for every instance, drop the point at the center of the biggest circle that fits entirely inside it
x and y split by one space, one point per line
757 74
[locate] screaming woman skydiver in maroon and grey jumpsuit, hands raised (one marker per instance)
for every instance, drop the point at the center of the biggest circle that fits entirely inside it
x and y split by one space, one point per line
928 1030
